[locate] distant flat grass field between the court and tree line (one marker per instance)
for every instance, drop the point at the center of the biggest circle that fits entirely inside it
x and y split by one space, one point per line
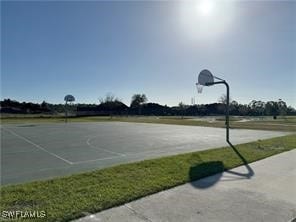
266 123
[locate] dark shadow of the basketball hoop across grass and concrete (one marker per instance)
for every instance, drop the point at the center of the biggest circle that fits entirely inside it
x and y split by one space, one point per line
214 169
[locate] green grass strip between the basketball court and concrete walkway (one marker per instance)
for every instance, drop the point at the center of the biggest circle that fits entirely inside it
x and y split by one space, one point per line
70 197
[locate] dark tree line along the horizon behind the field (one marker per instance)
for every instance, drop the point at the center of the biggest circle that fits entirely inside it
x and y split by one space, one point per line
110 105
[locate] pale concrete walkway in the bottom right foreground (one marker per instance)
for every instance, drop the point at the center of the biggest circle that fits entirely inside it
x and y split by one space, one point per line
269 195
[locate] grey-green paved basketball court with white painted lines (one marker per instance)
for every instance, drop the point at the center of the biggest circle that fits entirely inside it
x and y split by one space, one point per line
39 151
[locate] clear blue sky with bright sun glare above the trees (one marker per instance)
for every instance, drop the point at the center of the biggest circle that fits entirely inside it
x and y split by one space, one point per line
87 49
